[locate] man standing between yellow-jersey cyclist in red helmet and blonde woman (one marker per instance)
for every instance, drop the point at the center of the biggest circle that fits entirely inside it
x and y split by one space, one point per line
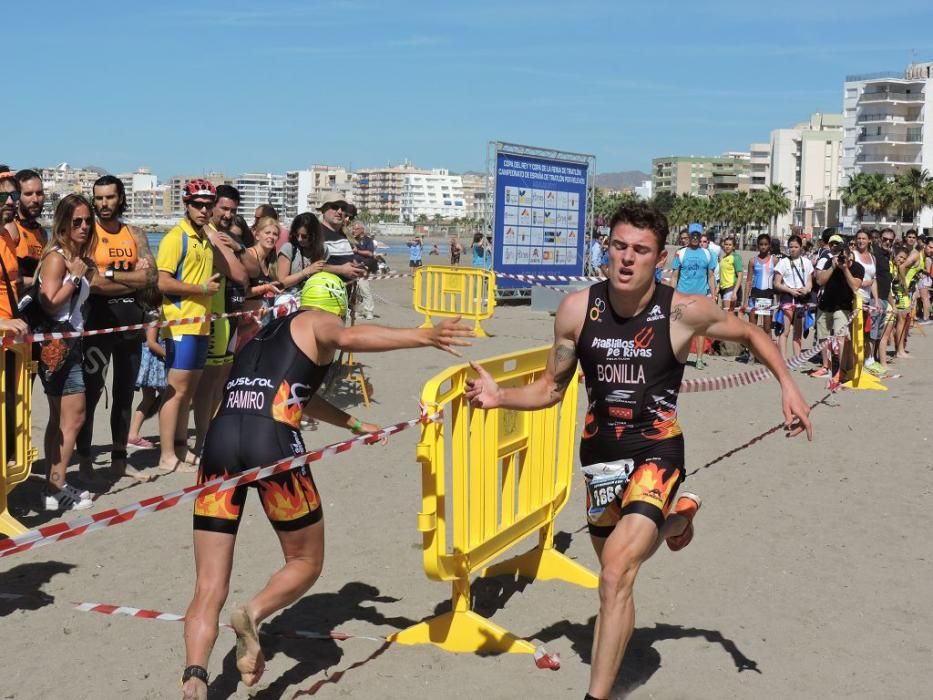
219 350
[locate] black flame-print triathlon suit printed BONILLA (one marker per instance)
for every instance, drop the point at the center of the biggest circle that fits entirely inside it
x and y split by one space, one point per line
632 381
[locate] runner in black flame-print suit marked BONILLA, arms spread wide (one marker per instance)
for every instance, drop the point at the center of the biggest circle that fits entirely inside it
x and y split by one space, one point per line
631 337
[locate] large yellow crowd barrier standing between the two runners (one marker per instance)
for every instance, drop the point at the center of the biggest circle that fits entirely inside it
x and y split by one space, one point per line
489 479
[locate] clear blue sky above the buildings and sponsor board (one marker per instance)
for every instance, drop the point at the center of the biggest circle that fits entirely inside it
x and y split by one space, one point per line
182 87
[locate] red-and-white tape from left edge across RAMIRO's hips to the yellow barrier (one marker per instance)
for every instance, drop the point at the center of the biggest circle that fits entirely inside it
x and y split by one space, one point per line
47 534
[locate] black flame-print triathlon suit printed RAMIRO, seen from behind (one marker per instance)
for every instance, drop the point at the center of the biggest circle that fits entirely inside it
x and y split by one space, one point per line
259 423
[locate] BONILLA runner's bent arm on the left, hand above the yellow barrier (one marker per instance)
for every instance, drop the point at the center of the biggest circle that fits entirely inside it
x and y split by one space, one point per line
560 370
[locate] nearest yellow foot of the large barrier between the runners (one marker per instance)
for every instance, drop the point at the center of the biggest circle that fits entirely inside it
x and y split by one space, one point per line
463 631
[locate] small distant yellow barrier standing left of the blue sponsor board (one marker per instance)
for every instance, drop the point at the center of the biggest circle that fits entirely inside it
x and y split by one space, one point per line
448 291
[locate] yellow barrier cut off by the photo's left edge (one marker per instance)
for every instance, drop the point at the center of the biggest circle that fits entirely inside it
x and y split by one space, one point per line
16 451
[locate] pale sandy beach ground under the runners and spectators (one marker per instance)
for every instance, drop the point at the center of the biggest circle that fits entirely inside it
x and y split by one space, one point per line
807 578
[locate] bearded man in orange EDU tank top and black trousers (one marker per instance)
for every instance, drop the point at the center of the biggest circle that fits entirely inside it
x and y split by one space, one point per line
125 266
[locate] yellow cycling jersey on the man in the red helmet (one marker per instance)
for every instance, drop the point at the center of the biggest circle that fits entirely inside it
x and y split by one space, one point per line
187 255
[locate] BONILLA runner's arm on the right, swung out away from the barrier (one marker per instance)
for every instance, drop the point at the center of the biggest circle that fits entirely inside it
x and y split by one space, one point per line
700 316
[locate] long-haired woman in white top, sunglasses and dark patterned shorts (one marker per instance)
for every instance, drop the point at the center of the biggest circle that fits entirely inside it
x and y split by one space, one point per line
65 270
